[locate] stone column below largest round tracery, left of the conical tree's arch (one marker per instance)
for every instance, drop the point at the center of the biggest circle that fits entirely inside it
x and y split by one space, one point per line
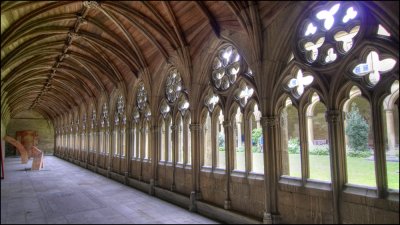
337 156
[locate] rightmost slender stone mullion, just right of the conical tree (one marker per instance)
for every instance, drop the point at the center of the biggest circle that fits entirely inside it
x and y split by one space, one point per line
379 152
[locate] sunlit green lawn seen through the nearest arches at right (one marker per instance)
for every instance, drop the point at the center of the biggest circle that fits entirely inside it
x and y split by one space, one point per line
360 171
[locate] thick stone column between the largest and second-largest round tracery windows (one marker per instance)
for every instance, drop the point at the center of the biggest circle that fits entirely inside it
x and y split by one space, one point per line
270 135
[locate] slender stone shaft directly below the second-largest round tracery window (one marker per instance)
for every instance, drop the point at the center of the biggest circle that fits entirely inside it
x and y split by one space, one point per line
229 149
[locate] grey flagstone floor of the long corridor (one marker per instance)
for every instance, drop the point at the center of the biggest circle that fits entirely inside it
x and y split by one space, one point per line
63 193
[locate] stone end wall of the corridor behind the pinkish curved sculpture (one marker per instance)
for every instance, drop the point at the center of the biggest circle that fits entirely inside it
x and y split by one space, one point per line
31 120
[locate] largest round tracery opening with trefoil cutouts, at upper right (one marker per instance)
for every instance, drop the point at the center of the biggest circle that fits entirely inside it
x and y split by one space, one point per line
329 33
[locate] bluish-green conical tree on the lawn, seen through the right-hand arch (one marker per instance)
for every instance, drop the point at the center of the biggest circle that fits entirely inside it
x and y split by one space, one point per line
357 130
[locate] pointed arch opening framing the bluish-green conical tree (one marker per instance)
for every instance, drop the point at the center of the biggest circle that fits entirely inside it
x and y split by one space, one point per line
359 140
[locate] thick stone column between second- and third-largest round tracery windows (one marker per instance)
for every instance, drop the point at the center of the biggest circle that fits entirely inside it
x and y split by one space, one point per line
196 139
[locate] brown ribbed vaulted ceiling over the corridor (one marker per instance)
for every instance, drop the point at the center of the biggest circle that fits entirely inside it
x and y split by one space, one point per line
56 55
